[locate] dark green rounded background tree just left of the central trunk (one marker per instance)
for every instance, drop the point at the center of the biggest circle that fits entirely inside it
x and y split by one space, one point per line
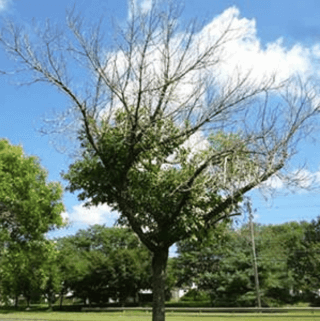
114 264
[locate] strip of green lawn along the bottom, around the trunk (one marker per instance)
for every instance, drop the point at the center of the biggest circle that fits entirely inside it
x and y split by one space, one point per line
136 316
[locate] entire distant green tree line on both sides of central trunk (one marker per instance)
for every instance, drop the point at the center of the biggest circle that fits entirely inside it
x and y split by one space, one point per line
100 265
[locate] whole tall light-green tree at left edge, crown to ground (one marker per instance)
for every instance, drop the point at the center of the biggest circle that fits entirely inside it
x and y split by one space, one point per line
29 207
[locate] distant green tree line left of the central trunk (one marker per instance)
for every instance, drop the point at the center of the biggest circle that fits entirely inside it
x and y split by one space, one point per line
95 265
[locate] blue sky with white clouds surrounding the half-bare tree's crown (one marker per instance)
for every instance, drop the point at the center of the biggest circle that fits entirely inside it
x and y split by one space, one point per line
284 36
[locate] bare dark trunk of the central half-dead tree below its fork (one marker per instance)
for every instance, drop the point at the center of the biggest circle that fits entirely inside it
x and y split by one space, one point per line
159 264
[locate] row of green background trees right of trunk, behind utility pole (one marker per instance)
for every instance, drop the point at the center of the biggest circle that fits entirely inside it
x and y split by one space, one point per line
221 266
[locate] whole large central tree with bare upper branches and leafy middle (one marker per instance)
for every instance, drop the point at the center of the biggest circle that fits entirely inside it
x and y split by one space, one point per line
159 89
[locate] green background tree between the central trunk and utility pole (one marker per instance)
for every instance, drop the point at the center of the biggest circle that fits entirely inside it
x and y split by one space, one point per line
220 265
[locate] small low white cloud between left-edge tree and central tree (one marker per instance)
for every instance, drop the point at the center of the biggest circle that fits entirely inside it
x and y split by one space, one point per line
102 214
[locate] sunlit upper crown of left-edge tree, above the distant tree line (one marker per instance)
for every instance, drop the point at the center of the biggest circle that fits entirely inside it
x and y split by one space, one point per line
29 205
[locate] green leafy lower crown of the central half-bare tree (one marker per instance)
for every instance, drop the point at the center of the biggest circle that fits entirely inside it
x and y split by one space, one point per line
129 170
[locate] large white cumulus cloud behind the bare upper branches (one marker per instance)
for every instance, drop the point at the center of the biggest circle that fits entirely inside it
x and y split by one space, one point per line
240 55
